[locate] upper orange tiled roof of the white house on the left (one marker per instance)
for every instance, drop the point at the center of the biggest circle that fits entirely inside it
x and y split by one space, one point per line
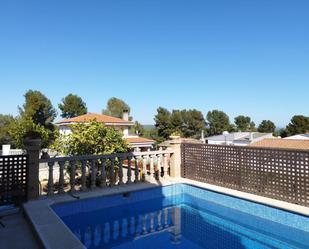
86 118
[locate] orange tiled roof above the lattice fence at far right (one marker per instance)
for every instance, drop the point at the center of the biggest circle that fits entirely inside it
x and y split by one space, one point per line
283 143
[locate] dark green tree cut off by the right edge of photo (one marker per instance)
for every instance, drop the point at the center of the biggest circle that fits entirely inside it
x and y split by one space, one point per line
299 125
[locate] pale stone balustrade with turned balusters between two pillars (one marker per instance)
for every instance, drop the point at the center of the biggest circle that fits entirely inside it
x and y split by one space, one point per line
92 171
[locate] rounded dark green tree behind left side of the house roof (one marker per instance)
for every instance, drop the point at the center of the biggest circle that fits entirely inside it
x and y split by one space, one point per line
72 106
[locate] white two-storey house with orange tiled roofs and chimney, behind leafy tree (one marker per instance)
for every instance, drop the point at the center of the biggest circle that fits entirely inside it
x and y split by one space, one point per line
136 142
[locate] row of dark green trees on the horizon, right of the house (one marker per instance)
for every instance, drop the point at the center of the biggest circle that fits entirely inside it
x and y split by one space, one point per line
190 123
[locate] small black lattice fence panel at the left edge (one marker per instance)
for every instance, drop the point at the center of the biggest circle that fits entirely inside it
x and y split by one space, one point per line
13 179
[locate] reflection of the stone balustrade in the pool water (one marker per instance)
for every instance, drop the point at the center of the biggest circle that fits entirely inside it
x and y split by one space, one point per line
137 227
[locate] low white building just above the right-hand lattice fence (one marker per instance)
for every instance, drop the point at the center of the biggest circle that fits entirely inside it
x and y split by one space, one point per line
237 138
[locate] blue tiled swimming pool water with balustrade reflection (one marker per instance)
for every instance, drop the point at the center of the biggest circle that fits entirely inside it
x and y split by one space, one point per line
181 216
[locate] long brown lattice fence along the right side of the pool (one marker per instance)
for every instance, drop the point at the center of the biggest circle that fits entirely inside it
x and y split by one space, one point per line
275 173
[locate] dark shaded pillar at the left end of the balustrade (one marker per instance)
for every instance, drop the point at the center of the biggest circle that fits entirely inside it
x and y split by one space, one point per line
32 147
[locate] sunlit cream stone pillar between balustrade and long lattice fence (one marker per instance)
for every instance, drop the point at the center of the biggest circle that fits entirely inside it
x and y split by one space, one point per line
175 162
